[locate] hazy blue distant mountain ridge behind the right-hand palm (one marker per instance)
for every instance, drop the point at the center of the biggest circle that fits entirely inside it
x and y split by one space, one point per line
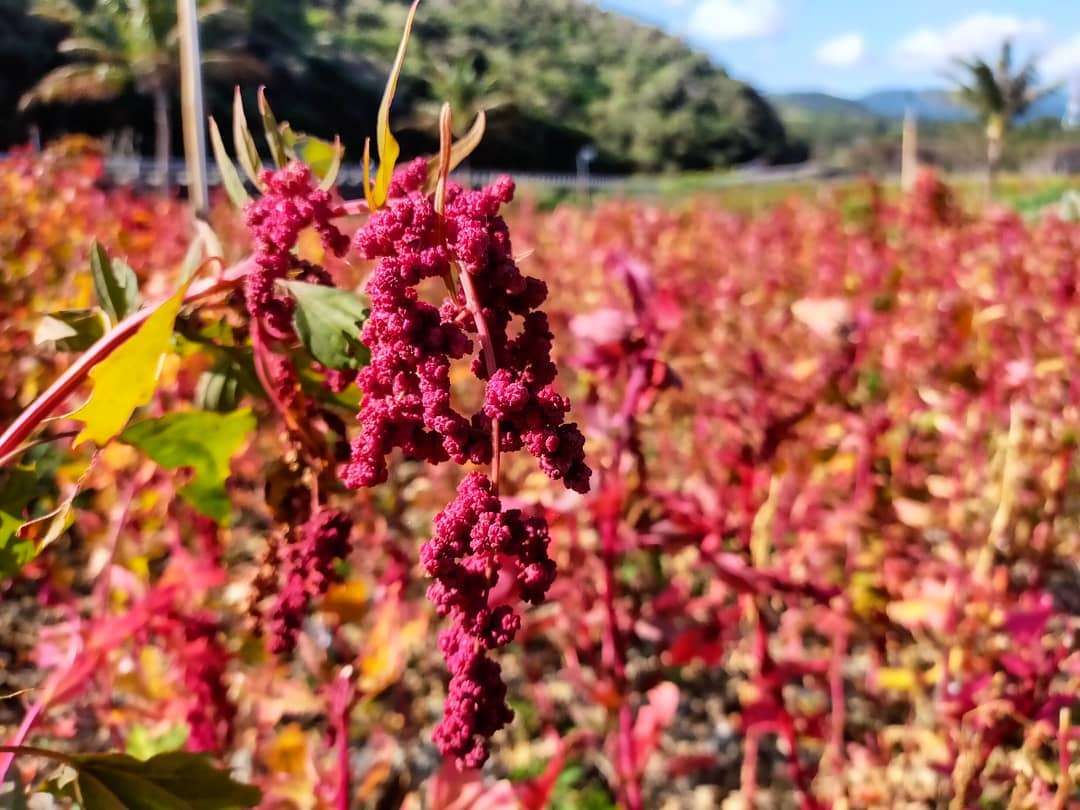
890 104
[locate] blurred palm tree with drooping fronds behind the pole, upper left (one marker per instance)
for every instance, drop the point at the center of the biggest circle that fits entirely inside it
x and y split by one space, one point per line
127 44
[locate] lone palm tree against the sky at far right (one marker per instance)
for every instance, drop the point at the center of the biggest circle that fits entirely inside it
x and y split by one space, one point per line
998 97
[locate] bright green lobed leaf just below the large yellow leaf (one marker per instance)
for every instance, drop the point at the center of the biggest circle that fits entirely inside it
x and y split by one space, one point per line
202 441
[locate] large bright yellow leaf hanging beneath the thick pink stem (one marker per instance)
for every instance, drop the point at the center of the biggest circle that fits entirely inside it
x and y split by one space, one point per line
128 379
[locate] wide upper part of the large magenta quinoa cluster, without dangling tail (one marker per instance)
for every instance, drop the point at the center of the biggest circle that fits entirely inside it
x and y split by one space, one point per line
408 388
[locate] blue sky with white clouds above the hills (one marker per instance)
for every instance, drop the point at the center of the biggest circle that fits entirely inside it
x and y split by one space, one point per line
850 47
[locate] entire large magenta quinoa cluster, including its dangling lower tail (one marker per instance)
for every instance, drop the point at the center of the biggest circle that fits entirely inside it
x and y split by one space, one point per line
408 406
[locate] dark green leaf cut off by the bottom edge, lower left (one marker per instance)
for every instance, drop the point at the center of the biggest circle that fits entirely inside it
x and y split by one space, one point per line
173 781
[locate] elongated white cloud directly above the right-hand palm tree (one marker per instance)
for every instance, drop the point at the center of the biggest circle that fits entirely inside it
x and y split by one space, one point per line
979 34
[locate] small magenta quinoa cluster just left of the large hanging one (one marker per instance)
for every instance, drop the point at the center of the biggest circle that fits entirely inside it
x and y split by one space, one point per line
292 202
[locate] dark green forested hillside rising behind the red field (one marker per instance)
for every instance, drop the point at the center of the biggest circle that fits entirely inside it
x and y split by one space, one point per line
556 75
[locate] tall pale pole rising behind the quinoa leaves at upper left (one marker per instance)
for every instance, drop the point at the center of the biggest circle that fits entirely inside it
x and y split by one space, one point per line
192 107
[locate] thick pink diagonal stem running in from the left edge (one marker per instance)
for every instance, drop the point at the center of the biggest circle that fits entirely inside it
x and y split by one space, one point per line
58 394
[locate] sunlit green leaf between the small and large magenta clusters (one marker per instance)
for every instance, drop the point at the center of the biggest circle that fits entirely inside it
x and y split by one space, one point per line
329 322
